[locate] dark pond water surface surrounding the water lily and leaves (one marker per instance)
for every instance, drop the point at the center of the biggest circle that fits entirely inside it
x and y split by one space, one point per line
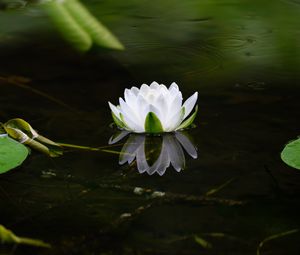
242 57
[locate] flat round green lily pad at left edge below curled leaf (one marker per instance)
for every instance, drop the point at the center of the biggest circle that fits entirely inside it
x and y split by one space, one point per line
12 153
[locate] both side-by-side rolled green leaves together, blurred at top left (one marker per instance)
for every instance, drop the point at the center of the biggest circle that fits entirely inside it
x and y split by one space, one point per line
78 26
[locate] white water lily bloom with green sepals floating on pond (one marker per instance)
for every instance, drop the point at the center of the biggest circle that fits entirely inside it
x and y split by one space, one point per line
154 109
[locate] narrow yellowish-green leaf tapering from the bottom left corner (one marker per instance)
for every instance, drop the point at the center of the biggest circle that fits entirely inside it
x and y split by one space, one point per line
7 236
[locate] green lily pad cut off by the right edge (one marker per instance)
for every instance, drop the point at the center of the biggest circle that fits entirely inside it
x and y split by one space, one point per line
291 154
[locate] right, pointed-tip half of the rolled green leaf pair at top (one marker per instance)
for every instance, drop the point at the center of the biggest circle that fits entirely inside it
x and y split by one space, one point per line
98 32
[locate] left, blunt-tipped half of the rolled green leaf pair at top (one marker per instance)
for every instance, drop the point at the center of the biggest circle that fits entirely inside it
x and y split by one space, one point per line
69 28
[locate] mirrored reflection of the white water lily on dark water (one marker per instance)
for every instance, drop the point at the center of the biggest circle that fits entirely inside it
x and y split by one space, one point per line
155 153
